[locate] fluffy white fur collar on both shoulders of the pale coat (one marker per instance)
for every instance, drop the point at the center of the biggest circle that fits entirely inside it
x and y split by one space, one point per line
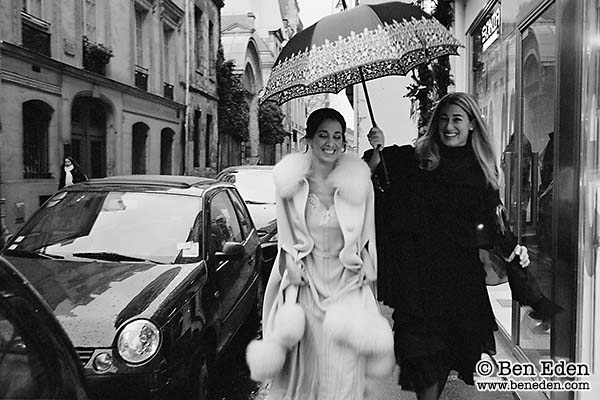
351 176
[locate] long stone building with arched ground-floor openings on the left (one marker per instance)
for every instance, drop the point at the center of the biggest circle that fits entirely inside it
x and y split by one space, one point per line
86 78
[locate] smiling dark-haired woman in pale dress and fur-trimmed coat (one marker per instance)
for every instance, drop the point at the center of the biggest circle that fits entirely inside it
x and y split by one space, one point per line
337 343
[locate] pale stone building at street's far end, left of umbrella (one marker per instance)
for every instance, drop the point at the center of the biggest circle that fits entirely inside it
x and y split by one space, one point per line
253 33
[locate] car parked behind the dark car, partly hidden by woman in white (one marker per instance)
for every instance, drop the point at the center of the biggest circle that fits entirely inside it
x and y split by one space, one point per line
255 184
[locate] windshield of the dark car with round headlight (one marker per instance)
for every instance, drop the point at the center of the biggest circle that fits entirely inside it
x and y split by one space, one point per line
113 226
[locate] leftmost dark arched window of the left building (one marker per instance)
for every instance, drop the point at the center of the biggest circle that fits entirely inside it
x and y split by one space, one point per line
36 119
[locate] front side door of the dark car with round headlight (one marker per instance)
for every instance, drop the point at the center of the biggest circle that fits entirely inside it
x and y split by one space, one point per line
234 275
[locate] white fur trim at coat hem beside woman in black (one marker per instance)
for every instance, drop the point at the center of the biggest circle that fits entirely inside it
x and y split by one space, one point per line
366 332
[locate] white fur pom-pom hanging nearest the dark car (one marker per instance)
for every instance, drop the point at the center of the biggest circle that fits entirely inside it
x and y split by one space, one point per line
265 359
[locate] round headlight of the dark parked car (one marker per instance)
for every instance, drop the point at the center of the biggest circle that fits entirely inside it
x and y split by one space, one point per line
138 341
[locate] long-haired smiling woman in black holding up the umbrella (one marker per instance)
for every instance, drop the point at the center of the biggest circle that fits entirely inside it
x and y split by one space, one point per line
430 212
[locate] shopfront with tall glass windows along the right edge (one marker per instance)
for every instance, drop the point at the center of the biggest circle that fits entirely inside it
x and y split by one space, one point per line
534 66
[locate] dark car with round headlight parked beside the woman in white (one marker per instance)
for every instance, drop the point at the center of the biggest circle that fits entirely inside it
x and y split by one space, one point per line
150 276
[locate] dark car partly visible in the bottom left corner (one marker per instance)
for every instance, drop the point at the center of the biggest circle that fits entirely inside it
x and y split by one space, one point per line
37 359
